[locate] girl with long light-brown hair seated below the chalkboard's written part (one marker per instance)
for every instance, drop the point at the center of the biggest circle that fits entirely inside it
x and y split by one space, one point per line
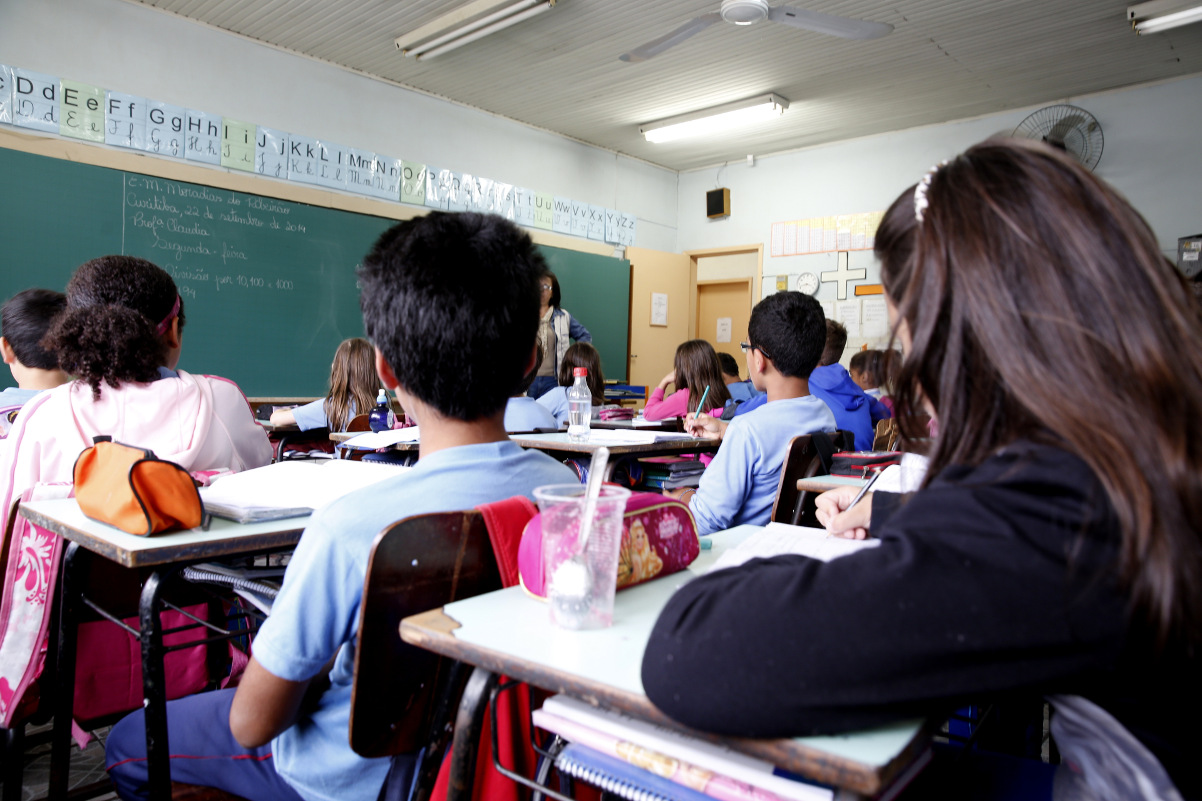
353 390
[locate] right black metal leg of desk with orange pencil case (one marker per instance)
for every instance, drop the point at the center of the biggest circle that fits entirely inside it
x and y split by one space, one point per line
154 690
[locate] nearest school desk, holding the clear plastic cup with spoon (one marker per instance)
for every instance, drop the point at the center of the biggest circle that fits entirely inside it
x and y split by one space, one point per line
508 632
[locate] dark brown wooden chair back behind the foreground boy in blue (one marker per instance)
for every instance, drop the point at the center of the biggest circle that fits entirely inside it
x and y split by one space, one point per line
416 565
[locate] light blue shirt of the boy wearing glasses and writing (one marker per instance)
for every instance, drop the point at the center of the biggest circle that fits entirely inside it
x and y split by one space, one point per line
740 485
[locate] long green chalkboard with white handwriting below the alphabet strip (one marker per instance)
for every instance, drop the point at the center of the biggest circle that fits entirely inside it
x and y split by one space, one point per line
269 286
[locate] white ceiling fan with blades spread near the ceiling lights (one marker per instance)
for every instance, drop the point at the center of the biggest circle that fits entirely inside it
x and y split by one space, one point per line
748 13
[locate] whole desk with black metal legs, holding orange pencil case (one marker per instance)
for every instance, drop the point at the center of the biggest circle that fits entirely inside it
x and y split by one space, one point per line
166 554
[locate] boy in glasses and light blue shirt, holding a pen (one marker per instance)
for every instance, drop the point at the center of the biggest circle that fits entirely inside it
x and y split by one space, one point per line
786 339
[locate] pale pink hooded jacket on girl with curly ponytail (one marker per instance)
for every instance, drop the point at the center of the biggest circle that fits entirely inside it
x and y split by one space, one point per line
198 422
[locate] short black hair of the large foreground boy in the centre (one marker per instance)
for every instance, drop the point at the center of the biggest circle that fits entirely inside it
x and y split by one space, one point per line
453 304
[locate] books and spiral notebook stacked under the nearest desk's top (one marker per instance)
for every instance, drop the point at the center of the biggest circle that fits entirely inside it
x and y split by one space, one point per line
642 762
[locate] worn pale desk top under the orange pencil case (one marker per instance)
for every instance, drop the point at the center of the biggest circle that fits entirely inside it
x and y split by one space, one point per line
224 538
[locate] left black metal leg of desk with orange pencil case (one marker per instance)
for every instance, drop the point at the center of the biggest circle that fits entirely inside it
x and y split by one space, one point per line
75 565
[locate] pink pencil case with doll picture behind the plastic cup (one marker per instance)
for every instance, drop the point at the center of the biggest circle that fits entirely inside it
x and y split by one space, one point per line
659 537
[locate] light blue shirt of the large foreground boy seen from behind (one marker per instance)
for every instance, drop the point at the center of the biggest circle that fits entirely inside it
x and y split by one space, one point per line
318 610
